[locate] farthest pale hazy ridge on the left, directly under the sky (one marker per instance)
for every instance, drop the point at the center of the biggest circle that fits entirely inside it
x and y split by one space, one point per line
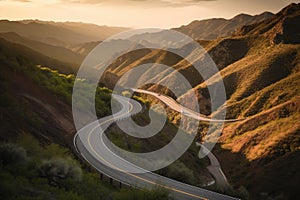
59 33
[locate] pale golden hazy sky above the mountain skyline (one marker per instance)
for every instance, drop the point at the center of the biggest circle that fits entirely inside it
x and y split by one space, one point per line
134 13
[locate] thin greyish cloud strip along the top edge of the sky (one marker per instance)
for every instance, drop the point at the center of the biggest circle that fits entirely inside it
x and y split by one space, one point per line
145 3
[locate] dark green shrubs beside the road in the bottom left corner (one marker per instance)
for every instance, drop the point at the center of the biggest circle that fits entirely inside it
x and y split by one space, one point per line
29 170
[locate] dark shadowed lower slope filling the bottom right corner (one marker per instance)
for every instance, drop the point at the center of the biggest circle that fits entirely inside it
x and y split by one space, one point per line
272 178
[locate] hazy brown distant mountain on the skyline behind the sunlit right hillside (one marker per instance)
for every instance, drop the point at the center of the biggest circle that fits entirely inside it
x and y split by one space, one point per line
211 29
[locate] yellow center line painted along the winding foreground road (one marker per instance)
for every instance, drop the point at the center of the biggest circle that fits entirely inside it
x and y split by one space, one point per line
135 176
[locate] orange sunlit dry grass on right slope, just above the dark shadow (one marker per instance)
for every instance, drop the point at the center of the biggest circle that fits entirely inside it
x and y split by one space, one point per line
258 135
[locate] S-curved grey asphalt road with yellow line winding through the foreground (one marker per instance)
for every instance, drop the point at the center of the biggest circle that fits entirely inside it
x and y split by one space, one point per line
90 142
